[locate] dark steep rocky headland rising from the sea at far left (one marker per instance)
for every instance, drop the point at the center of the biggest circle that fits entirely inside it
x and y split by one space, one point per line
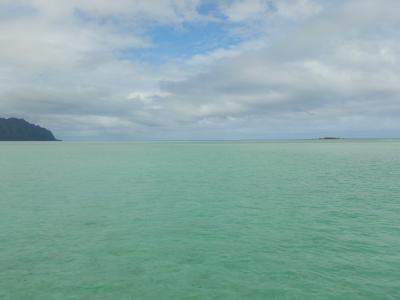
13 129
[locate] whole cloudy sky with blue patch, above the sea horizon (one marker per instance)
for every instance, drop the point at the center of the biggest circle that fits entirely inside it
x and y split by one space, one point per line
202 69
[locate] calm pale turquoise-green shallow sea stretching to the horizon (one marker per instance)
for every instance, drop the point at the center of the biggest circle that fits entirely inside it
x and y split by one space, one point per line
200 220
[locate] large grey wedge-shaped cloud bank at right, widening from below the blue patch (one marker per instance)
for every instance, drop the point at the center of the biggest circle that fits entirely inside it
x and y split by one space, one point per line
322 73
